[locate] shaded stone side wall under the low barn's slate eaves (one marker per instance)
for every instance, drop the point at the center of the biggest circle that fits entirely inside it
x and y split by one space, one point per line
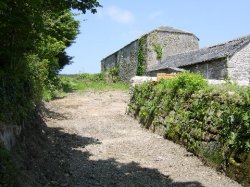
216 69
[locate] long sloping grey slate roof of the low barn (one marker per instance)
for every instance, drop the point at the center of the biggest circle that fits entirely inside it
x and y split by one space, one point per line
203 55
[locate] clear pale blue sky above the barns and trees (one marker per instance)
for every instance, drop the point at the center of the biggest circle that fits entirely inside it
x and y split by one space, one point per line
119 22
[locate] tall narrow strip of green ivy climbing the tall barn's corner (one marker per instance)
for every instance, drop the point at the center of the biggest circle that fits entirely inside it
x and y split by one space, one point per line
141 66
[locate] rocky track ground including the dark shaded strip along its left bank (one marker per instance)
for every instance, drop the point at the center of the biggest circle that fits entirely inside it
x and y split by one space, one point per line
88 140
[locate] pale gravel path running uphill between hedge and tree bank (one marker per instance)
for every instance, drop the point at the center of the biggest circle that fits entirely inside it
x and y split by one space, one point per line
105 147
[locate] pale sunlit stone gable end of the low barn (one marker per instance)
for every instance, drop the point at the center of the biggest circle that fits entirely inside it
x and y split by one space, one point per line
239 65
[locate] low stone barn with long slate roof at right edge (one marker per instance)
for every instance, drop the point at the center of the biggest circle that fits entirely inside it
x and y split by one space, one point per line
230 60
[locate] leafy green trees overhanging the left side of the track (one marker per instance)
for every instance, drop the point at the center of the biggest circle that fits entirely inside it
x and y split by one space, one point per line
34 35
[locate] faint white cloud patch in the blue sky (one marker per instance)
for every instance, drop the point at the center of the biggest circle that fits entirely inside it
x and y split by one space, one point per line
120 15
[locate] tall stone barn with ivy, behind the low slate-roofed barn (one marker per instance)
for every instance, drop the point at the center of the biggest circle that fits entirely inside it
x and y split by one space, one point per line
156 45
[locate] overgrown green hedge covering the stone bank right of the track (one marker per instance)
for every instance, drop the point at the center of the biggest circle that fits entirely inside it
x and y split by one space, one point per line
211 121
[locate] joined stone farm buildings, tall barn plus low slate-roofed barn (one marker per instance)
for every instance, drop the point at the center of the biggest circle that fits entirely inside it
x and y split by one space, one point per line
180 51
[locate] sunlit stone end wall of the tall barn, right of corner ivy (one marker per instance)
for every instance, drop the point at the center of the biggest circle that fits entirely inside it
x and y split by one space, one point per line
171 44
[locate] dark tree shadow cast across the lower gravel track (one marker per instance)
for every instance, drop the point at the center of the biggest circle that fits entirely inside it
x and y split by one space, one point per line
51 157
